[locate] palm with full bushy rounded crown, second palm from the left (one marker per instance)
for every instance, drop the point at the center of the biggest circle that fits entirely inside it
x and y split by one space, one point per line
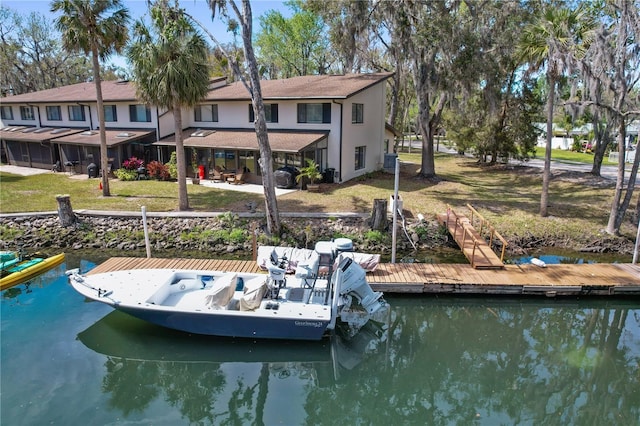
171 70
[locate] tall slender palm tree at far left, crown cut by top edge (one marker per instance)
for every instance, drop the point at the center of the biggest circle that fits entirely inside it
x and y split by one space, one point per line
99 28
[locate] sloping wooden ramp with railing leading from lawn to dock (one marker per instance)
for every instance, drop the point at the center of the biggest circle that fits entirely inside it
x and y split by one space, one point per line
475 248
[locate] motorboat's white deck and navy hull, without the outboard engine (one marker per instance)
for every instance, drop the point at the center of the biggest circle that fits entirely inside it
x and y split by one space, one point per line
175 299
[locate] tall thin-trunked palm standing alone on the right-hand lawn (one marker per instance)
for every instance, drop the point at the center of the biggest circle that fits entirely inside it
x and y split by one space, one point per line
554 40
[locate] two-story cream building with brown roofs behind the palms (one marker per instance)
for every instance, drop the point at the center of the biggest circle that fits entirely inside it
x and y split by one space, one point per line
336 120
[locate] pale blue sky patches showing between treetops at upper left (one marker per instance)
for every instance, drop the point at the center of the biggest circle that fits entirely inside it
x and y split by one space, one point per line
138 8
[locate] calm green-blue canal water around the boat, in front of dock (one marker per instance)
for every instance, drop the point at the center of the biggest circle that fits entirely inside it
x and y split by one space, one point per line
444 361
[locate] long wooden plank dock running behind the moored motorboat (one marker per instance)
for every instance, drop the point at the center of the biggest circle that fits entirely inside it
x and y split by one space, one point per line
424 278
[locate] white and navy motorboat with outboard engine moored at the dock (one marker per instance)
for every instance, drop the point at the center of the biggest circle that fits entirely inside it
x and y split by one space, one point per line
305 305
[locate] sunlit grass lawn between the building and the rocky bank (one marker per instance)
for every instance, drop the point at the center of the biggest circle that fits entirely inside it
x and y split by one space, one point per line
508 196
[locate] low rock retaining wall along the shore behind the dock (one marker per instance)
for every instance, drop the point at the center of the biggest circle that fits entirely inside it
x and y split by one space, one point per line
222 234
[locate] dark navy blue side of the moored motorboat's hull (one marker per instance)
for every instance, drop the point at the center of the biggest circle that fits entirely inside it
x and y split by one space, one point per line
227 324
